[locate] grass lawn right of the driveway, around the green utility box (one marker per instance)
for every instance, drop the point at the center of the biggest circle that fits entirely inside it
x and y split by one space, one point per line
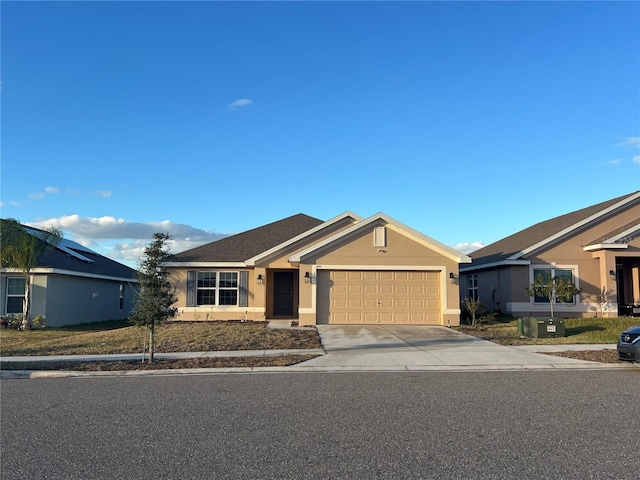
577 331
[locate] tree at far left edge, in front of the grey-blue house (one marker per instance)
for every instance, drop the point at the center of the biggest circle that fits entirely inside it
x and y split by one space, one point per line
21 250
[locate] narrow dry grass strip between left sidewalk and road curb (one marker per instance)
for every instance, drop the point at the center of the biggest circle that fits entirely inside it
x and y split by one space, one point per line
160 364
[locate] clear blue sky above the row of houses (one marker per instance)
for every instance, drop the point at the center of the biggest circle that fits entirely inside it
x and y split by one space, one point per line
467 121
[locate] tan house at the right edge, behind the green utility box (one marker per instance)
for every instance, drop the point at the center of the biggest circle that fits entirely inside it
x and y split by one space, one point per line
598 248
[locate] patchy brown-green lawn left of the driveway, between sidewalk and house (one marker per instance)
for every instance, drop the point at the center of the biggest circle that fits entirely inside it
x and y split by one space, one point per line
120 337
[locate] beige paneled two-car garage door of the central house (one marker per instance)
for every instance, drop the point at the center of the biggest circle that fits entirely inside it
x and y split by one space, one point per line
385 297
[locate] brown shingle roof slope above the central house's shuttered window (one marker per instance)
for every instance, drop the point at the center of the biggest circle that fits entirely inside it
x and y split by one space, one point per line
245 245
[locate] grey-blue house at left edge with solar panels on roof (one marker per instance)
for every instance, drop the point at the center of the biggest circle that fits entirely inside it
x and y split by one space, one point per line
71 284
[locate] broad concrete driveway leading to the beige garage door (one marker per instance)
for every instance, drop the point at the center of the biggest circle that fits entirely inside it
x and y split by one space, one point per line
375 347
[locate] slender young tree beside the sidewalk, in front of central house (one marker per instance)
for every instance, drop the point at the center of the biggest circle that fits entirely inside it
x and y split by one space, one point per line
156 292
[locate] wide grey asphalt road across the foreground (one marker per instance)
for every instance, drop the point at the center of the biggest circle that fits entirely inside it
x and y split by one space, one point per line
528 424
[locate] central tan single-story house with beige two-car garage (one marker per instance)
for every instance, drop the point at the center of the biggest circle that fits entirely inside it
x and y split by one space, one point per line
347 270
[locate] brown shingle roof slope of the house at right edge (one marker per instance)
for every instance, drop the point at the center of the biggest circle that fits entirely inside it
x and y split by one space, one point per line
520 241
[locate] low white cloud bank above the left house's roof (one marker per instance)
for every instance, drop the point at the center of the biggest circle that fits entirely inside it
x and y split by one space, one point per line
122 240
